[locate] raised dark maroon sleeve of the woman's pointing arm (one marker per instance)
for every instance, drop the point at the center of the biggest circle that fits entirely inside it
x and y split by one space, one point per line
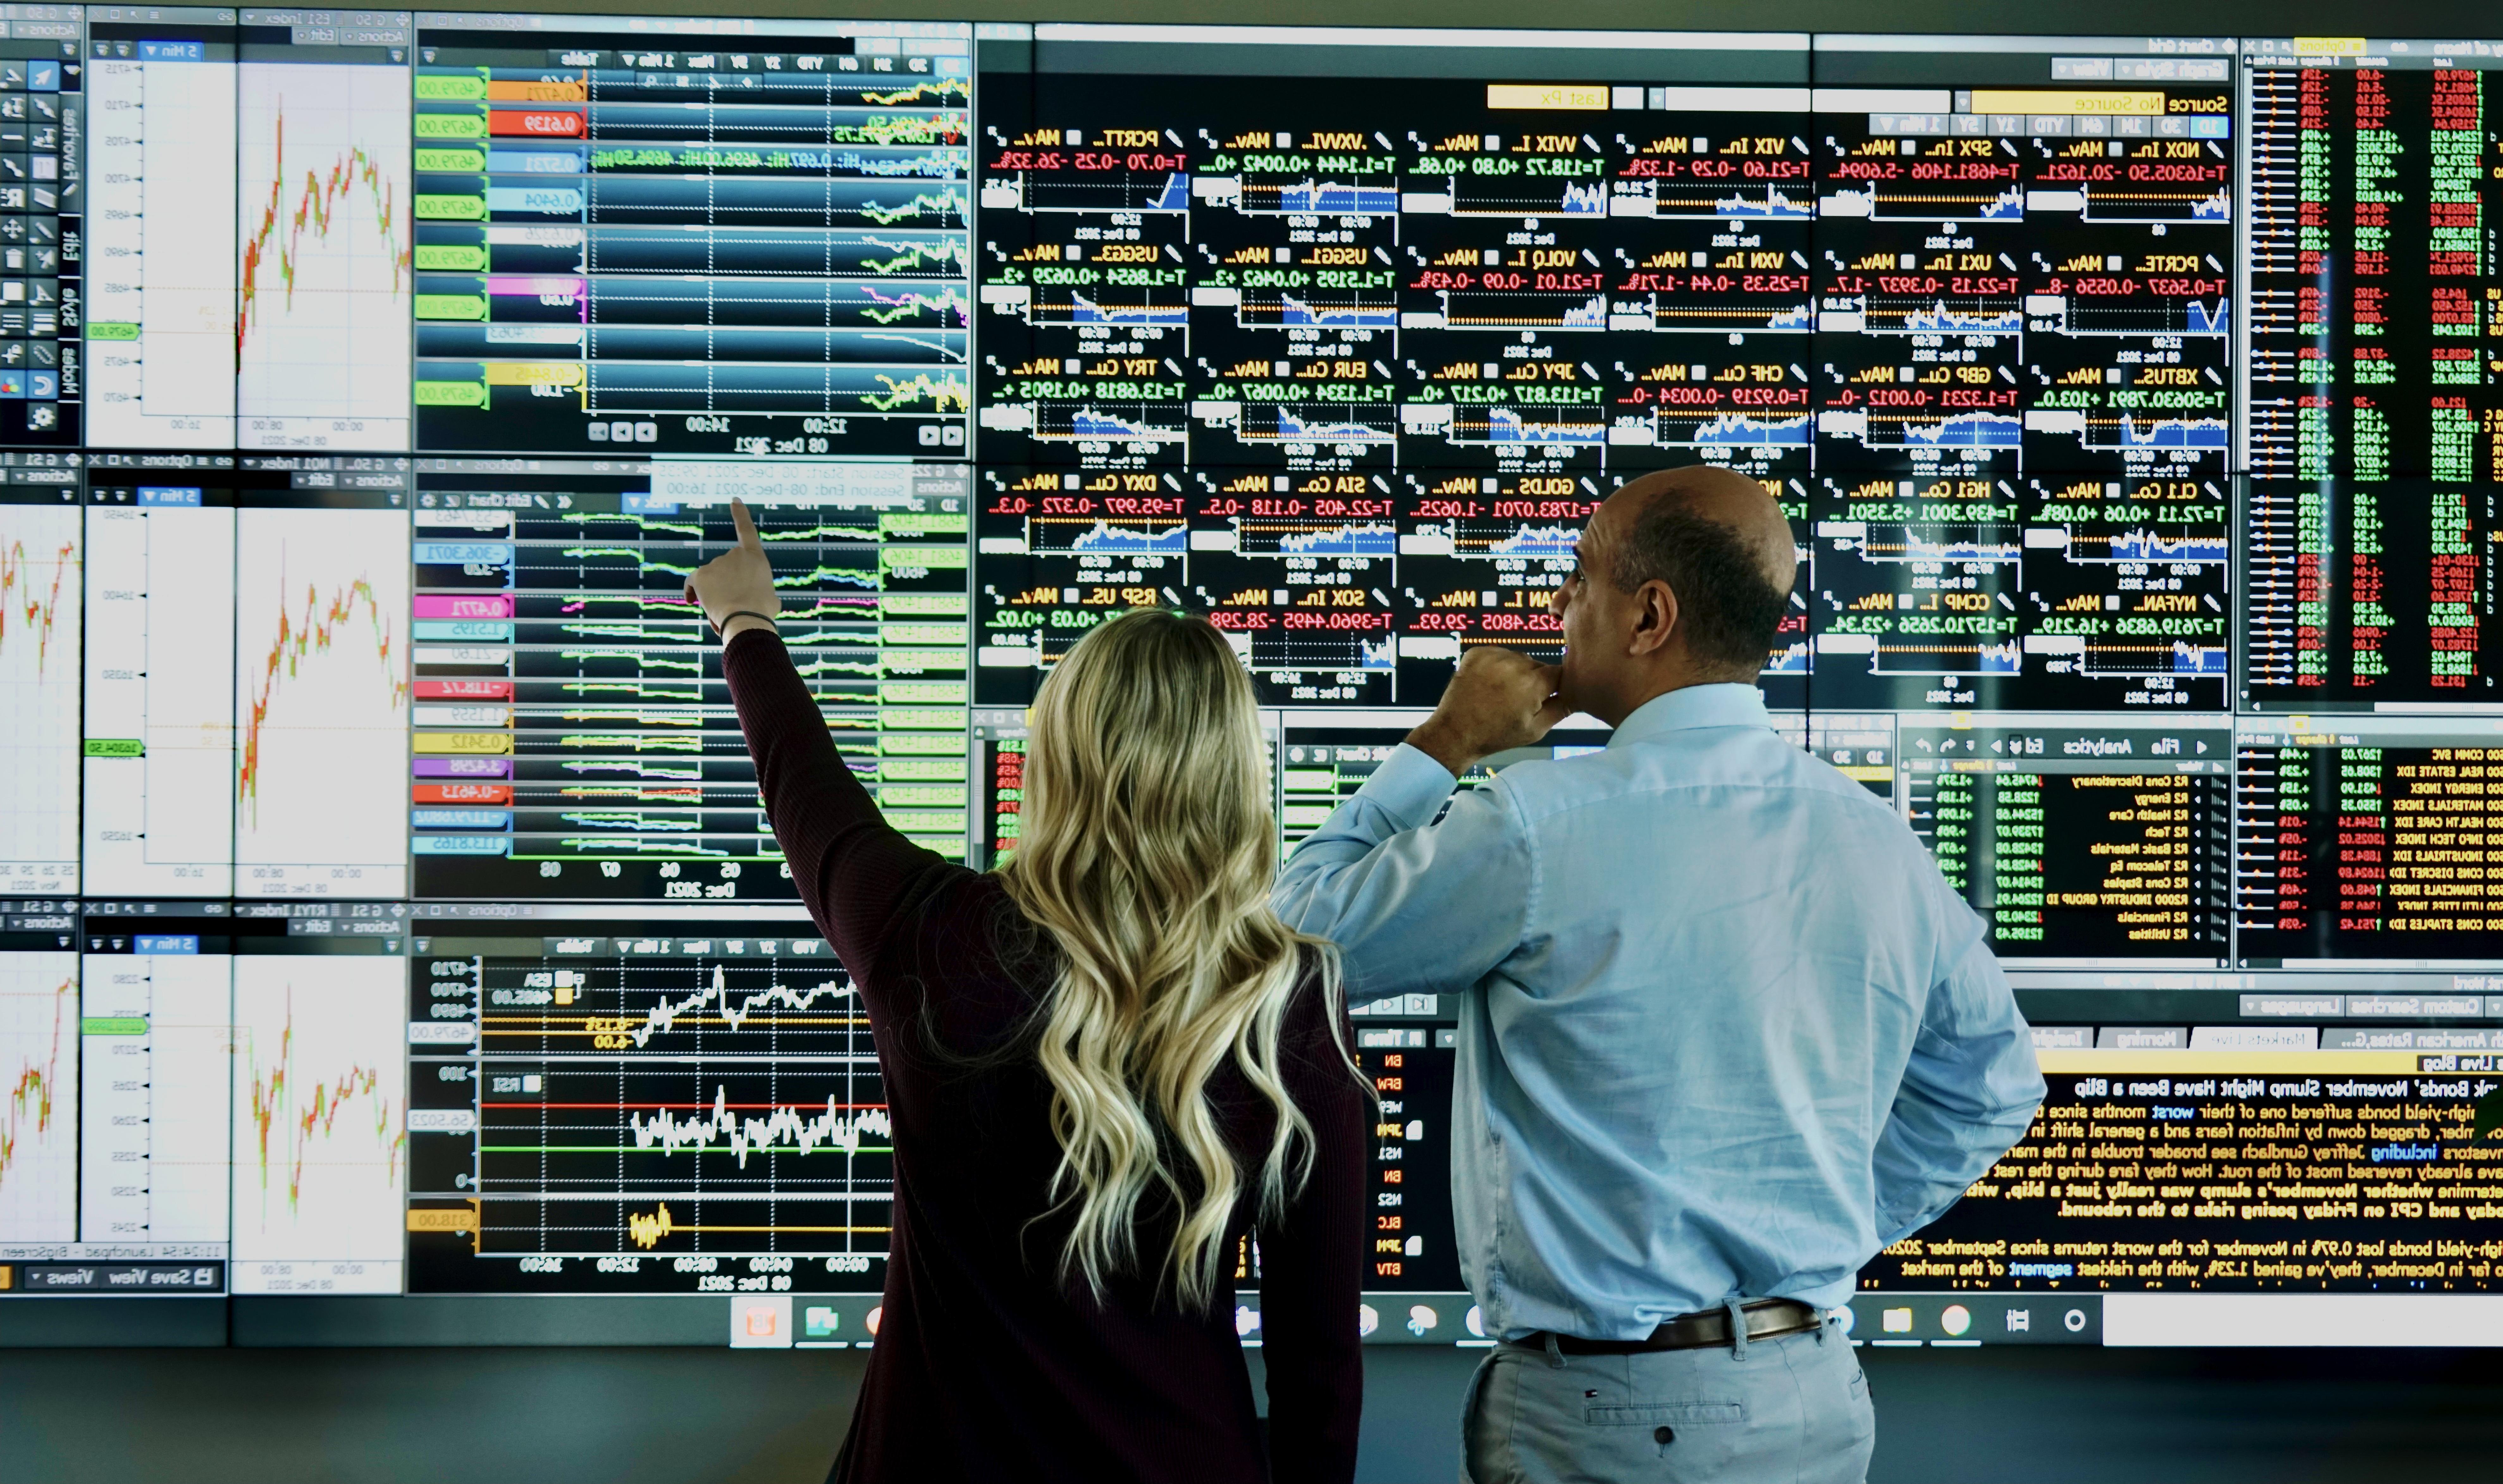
860 880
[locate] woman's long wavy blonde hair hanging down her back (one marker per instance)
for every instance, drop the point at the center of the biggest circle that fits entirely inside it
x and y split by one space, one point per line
1148 852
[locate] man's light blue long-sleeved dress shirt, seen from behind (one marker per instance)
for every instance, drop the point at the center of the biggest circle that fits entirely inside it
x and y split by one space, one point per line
1723 1035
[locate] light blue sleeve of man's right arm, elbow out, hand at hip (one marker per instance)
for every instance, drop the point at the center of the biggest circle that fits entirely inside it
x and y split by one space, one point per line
1966 1097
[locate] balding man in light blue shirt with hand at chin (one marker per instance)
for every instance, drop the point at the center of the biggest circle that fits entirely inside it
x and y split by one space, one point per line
1723 1035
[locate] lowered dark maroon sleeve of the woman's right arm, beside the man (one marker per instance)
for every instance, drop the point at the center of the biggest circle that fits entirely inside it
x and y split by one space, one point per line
1313 1273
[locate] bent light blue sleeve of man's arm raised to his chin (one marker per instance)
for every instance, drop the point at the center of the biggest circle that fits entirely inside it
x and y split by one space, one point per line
1415 907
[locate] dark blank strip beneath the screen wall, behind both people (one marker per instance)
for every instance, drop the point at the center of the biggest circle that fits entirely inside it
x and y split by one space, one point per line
775 1418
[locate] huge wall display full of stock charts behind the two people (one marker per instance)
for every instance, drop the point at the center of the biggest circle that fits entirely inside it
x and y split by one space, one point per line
387 907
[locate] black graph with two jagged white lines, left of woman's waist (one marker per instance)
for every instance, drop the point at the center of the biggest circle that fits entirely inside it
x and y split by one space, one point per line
677 1097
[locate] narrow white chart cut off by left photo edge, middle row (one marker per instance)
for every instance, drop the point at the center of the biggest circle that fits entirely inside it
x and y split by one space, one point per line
41 572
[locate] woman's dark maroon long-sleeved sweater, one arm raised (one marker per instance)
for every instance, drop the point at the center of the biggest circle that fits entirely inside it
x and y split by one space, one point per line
987 1368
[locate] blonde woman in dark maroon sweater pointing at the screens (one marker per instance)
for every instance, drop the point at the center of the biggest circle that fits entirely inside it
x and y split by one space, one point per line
1105 1065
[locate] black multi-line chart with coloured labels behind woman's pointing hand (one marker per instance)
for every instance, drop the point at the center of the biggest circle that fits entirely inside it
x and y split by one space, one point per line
609 679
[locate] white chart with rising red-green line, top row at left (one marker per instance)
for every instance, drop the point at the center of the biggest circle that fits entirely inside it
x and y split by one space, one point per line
324 267
